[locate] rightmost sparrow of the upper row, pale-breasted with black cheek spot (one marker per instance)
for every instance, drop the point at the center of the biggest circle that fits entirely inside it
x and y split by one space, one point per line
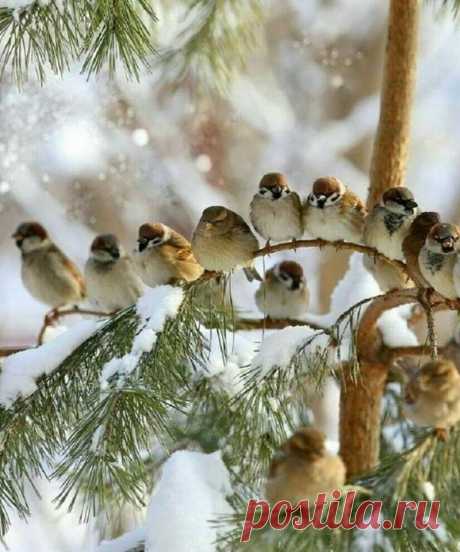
437 259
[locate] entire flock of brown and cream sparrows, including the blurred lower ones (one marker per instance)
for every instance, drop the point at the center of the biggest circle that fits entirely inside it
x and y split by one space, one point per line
223 241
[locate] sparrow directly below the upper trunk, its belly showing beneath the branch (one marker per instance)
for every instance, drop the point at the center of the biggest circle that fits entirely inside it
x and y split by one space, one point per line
385 229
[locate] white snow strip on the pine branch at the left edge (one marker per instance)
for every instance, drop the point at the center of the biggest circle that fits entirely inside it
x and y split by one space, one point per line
21 371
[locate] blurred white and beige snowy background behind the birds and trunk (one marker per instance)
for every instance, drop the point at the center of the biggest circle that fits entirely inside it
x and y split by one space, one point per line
89 157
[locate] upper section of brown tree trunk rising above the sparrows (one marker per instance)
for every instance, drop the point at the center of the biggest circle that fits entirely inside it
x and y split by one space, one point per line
391 145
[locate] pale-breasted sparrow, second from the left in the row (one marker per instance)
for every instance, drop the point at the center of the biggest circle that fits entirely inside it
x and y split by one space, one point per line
111 278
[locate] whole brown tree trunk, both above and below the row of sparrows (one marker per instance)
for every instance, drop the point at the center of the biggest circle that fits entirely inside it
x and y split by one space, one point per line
361 401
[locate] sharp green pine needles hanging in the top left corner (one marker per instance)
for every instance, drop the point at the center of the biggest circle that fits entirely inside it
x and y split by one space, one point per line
57 34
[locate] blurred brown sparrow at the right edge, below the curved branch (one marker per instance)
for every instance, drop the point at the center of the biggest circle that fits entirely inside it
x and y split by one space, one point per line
432 396
